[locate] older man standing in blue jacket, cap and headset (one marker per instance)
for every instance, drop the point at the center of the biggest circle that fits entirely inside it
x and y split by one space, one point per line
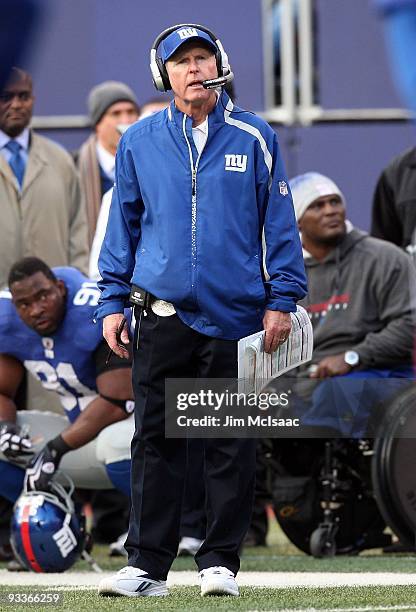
202 236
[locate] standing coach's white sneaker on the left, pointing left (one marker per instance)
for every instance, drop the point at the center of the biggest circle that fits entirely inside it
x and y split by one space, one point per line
132 582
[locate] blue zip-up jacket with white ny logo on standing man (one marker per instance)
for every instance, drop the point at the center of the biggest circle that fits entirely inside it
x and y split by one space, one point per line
214 234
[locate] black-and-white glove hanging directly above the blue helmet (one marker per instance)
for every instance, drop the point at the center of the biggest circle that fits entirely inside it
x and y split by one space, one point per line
42 468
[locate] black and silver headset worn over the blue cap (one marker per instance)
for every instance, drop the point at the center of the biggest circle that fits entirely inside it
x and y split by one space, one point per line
158 68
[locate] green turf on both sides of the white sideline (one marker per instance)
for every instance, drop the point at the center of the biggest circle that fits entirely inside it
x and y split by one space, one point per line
278 556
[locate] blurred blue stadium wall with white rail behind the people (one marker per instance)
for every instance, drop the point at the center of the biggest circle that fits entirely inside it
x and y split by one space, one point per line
316 69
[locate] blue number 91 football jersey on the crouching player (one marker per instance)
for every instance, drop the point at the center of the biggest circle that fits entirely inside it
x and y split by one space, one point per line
63 362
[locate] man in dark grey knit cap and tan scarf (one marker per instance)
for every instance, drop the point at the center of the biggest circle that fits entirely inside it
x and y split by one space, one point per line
112 107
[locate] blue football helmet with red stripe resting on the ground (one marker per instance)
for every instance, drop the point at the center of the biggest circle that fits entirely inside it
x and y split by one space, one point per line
47 535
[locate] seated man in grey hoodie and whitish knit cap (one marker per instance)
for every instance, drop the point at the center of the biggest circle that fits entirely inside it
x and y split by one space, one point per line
359 302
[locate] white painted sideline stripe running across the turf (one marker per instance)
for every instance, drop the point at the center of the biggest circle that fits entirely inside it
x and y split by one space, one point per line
278 580
